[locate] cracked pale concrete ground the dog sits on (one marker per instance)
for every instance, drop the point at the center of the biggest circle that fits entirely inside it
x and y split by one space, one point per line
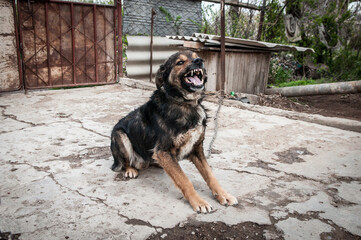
298 180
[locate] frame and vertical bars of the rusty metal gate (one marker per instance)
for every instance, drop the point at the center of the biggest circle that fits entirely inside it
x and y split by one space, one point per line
118 44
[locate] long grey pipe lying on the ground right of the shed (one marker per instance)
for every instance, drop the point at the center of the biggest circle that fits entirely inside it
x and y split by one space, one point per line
318 89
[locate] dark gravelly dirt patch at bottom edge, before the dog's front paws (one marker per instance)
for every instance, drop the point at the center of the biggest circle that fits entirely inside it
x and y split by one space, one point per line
218 230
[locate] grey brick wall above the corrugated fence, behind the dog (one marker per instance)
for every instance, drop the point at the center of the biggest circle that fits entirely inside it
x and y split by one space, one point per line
137 16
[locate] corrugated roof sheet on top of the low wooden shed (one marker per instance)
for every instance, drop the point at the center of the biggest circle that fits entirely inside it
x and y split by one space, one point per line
215 40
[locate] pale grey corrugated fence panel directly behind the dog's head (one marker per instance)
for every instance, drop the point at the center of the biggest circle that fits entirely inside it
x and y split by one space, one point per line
138 55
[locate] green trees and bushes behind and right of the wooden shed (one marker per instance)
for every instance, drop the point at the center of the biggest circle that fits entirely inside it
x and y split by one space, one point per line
332 28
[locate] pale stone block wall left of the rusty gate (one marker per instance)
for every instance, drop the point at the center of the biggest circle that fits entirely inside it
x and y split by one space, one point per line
9 73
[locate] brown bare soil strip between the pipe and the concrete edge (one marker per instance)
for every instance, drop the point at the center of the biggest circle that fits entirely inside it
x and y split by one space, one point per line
337 105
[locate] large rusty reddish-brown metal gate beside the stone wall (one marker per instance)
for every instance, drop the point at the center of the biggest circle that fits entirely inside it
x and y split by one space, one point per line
69 44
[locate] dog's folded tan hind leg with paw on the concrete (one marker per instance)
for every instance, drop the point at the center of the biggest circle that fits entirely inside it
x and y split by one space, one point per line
123 154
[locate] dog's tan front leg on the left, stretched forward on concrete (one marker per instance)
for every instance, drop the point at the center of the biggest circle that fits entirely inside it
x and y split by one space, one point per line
172 168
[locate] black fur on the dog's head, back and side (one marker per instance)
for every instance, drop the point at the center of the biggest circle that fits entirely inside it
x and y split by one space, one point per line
167 114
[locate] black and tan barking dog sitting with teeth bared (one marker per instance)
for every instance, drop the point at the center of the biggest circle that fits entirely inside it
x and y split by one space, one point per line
168 128
